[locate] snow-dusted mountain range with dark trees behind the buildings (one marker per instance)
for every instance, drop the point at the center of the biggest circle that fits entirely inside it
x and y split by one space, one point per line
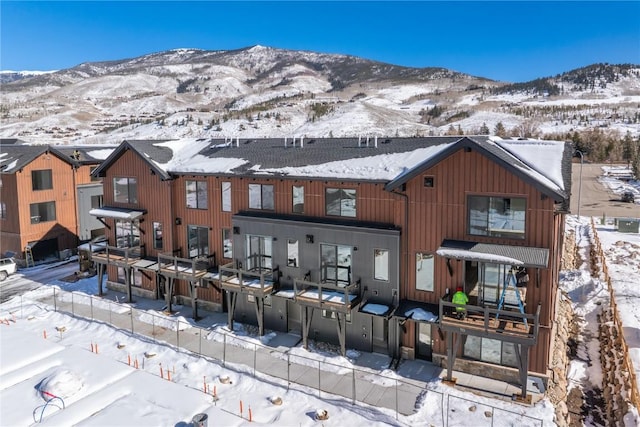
266 92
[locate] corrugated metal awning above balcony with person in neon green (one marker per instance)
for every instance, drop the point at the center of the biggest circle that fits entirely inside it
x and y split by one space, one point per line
498 254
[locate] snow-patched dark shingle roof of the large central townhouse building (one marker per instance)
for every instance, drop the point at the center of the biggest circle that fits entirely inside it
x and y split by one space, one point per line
544 164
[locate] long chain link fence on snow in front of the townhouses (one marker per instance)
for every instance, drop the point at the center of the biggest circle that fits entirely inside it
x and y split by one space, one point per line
359 385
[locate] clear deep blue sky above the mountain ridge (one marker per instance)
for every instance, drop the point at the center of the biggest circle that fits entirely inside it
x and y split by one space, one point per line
510 41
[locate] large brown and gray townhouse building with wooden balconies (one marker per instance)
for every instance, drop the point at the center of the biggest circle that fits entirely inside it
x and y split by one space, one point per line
358 242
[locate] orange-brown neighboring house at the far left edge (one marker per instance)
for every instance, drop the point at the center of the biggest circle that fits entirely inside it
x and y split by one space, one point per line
42 188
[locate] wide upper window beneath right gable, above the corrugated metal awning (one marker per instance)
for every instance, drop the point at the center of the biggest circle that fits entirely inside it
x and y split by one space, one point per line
496 216
